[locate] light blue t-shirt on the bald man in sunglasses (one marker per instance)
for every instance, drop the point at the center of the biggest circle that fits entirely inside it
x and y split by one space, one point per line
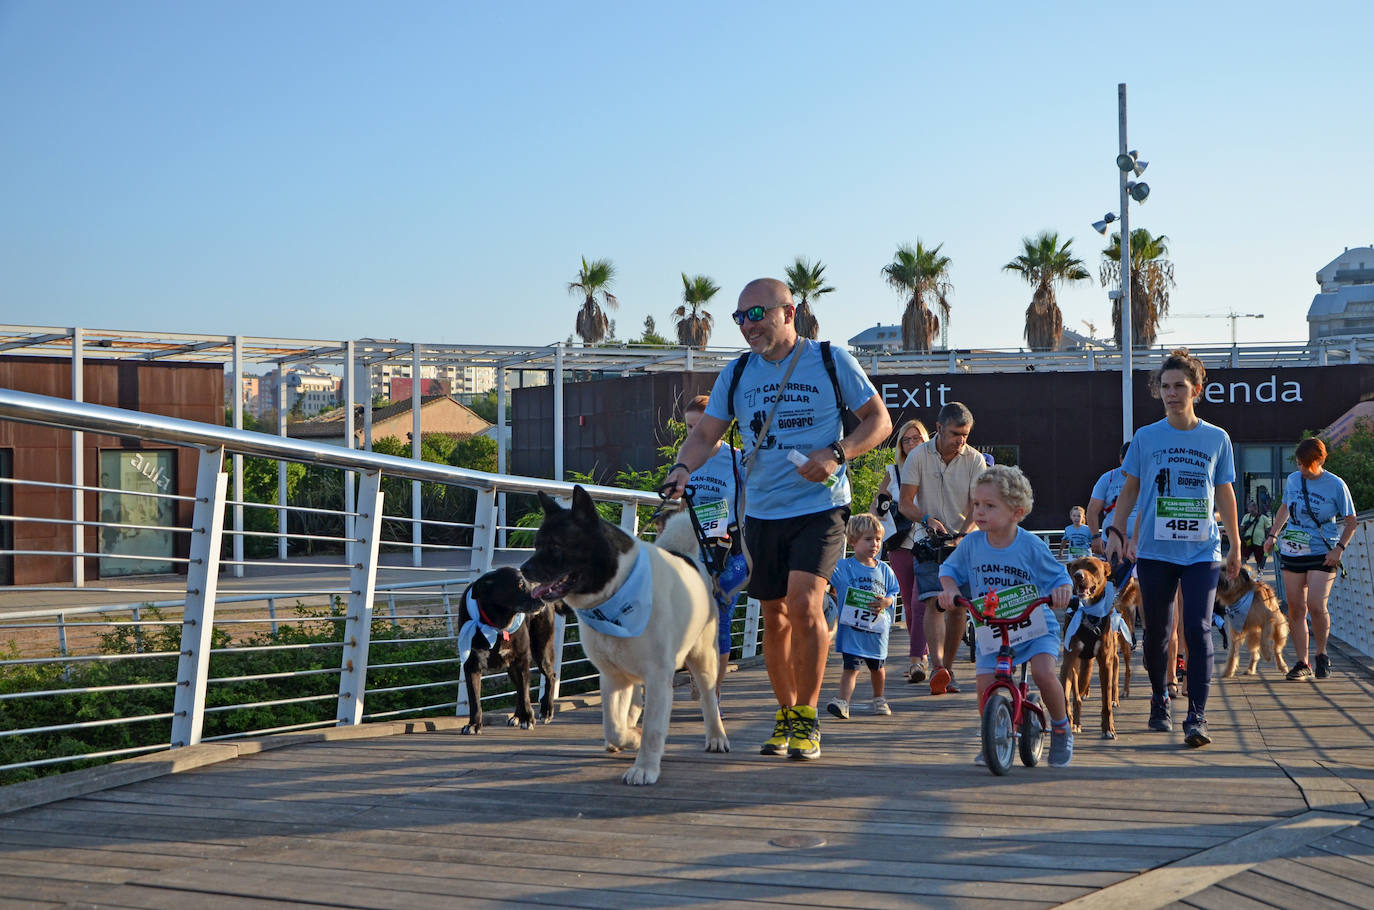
807 420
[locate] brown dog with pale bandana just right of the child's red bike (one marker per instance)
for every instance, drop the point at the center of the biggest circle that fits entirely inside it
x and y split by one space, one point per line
1092 636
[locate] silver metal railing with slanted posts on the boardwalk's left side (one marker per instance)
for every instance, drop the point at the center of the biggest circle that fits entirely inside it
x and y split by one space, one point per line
124 677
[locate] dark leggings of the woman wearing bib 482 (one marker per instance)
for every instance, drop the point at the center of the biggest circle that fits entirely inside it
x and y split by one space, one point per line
1159 581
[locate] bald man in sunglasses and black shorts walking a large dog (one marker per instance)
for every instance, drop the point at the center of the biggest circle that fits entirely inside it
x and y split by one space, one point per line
795 520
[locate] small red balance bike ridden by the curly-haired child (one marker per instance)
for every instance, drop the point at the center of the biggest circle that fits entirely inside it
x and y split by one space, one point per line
1009 713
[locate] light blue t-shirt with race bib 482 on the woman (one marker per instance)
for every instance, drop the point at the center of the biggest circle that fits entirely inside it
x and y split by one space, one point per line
1180 472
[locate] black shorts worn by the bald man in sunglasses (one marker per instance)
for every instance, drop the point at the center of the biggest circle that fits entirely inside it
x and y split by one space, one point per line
807 544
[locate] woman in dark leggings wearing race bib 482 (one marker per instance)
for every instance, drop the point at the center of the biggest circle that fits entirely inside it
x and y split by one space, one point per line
1181 469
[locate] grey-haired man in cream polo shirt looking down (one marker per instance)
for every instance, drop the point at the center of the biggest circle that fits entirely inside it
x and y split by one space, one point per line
936 490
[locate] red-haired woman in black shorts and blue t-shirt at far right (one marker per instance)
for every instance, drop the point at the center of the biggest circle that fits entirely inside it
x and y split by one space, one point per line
1314 501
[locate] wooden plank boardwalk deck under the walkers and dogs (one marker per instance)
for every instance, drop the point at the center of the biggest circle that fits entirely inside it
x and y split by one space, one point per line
1279 813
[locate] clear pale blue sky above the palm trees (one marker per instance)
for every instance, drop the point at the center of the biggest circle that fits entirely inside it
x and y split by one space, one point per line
435 171
